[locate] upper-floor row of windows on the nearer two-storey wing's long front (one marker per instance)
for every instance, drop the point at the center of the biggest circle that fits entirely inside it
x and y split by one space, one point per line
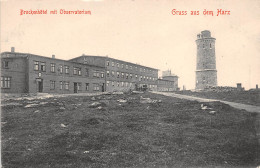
41 66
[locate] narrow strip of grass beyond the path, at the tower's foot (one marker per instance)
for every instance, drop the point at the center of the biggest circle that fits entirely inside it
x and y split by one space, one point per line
246 97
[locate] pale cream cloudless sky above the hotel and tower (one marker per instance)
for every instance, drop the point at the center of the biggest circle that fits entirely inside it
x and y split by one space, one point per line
143 31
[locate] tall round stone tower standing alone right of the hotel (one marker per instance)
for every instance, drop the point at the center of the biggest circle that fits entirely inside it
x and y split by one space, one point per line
206 73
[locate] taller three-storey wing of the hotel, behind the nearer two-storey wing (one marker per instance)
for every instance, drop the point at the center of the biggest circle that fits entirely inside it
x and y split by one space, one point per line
121 75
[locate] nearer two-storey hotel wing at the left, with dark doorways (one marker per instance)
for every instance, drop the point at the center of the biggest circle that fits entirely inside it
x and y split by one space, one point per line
28 73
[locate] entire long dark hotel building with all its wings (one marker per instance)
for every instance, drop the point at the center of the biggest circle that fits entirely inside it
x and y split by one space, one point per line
30 73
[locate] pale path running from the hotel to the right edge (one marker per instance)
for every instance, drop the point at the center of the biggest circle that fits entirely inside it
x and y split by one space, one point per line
249 108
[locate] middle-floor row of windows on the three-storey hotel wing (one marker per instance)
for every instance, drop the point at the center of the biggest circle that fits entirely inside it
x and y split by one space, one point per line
130 76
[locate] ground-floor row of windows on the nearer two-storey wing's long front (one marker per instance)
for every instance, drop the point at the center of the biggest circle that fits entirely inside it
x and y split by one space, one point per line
64 85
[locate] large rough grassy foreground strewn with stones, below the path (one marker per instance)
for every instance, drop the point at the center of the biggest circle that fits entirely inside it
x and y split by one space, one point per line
69 132
